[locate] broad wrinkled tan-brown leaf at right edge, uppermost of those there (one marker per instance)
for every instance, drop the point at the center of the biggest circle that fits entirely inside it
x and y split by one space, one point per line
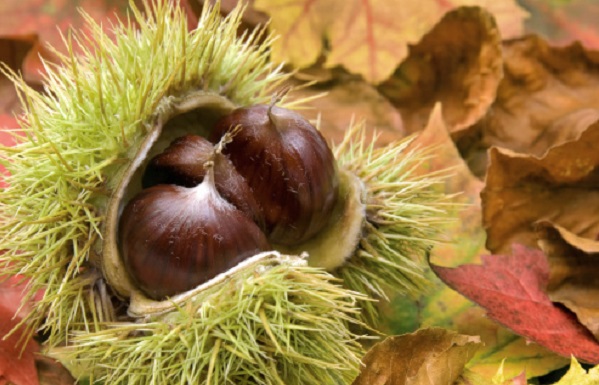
547 97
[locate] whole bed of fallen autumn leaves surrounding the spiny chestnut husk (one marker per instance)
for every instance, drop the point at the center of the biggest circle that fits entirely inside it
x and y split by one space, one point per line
515 116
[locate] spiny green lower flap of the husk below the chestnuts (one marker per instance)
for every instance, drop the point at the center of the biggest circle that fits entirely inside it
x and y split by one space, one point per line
281 322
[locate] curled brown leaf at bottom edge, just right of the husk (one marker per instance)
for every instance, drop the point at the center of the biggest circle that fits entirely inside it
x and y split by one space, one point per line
432 356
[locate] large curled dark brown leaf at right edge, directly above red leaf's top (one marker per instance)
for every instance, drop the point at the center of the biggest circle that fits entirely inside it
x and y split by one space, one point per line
561 187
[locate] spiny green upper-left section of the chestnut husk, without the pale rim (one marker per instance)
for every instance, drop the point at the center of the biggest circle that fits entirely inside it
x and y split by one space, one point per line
82 132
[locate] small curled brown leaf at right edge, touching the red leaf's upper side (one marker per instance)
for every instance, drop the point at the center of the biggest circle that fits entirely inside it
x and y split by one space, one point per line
574 267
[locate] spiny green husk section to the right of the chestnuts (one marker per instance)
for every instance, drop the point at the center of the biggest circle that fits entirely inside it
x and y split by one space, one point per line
406 210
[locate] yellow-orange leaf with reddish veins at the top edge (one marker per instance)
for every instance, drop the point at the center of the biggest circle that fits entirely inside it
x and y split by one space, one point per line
368 37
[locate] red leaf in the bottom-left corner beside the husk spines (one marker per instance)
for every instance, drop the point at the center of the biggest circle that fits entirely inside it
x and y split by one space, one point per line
16 366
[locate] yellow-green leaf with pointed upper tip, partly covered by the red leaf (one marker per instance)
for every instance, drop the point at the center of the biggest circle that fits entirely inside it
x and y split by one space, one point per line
442 307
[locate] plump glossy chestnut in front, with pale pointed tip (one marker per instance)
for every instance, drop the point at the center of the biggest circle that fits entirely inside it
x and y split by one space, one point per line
174 238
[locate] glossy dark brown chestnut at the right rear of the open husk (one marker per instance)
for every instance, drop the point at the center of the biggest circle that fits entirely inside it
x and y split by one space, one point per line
289 167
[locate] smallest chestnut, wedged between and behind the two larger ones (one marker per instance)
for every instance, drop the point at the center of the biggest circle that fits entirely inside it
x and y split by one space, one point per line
182 163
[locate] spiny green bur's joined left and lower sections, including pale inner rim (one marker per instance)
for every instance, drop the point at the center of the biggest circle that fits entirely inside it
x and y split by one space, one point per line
273 320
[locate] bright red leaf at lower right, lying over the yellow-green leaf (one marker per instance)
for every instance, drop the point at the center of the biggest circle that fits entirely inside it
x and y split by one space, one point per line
511 289
